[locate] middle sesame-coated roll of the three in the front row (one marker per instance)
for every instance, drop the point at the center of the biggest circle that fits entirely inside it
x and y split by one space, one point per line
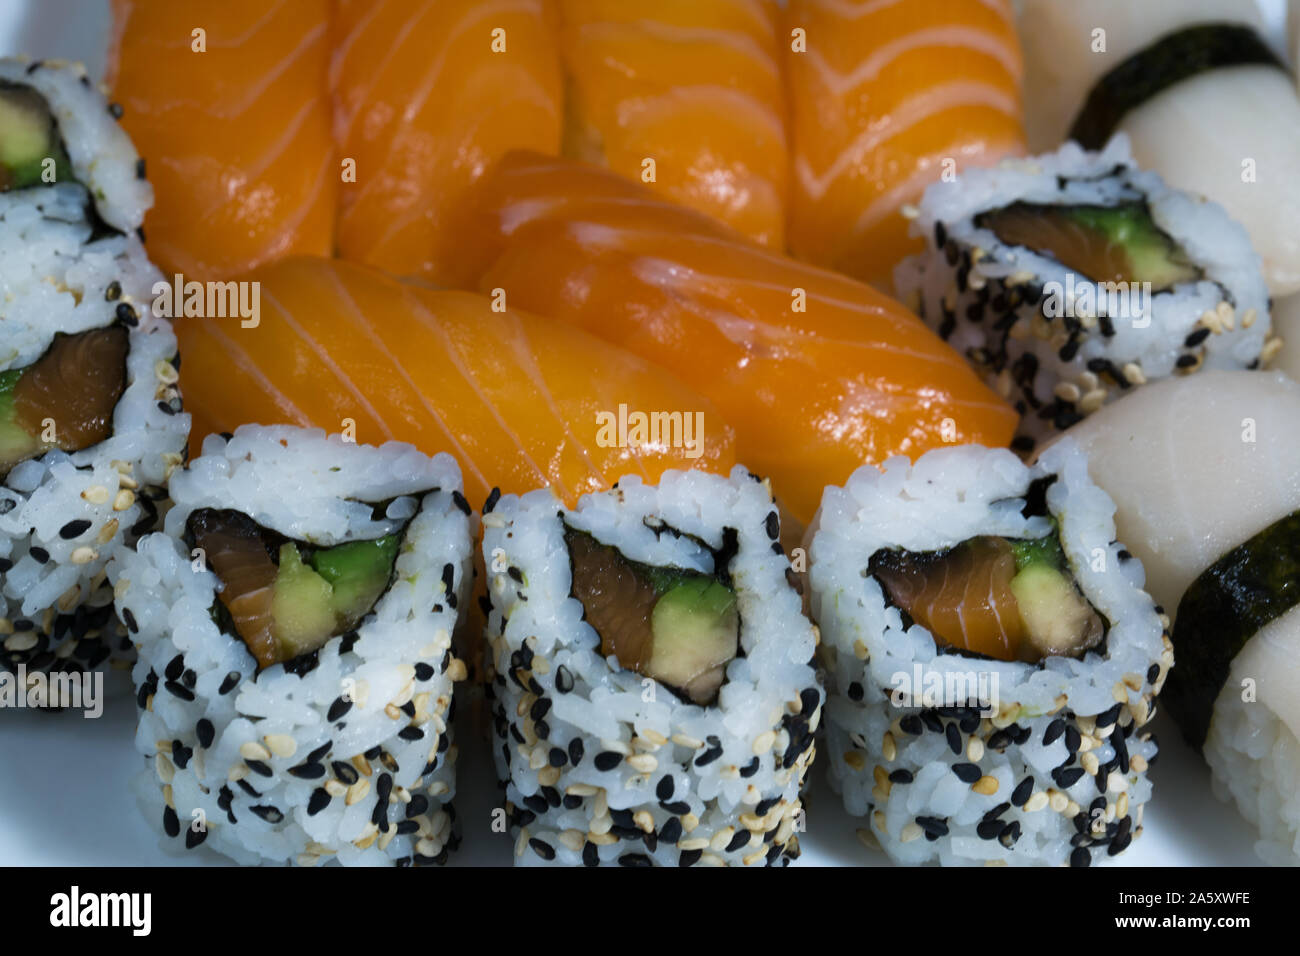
653 695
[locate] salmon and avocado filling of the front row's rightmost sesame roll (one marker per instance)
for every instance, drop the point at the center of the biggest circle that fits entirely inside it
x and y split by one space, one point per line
1012 600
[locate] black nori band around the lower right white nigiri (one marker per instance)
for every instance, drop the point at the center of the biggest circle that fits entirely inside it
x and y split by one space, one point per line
1221 611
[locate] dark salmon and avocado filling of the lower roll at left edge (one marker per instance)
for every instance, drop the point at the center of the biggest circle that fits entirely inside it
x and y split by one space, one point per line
64 400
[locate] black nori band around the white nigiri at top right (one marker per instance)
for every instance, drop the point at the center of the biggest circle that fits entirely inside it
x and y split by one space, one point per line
1165 63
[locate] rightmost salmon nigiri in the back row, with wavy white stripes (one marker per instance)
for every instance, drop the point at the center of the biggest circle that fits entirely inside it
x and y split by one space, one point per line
889 97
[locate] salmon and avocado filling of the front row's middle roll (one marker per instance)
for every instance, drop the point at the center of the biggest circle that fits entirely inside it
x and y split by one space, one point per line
678 626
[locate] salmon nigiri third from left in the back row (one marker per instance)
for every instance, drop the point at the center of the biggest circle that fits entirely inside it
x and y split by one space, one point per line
692 85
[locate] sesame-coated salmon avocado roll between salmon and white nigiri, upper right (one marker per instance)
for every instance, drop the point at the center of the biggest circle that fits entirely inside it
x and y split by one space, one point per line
1074 278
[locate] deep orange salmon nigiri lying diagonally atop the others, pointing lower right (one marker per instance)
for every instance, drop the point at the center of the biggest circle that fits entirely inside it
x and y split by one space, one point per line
818 374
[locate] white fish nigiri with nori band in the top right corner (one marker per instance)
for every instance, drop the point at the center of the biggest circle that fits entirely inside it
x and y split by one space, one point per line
1204 100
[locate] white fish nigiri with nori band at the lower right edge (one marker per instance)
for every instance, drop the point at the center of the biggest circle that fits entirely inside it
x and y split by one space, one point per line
1224 555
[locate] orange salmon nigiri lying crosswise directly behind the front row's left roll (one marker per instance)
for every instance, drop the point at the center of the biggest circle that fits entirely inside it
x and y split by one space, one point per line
521 403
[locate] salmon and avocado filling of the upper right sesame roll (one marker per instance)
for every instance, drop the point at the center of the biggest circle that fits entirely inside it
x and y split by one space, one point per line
1106 244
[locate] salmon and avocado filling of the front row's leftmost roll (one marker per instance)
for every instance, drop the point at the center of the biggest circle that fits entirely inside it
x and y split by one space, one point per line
287 599
